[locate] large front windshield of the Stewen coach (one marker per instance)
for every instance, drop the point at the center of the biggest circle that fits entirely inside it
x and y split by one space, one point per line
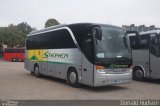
114 46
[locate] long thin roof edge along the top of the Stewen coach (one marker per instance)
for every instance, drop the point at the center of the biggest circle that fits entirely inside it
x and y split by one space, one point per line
68 25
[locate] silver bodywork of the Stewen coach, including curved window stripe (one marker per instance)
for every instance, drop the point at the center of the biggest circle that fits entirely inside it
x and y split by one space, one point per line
87 73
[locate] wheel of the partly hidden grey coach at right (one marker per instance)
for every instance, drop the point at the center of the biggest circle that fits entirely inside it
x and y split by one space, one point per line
138 74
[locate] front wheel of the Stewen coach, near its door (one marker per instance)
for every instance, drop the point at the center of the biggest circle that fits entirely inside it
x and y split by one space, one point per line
72 78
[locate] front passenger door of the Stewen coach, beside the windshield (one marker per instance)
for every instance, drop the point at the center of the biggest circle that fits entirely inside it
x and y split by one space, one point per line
87 65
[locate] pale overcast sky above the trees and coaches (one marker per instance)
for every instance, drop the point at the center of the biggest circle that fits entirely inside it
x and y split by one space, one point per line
115 12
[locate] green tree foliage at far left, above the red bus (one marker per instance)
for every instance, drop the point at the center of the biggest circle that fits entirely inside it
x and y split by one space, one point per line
14 35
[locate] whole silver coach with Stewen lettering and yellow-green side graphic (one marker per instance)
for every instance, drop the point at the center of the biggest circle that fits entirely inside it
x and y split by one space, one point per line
83 53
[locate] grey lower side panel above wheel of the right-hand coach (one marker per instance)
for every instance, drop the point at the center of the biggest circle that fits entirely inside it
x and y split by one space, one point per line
141 58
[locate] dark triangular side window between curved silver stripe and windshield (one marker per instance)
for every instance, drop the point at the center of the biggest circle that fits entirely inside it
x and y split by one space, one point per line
84 37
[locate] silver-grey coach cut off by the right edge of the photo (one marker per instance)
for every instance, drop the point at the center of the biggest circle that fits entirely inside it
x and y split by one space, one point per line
146 54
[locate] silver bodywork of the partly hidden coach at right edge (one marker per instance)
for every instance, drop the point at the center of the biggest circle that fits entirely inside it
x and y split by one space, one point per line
143 58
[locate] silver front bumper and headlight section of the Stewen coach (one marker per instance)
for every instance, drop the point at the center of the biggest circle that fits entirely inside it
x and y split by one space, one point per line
112 78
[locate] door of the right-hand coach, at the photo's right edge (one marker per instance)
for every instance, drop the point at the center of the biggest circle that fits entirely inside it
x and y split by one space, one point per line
154 56
